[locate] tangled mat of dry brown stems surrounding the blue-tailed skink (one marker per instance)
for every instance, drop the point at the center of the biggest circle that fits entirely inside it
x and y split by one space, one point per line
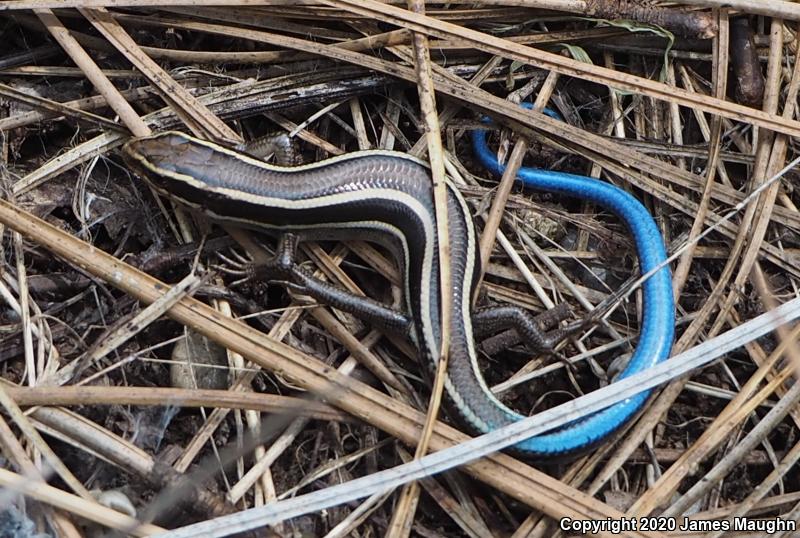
155 382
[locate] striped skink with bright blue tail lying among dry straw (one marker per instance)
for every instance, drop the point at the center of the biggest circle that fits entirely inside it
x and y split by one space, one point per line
386 197
